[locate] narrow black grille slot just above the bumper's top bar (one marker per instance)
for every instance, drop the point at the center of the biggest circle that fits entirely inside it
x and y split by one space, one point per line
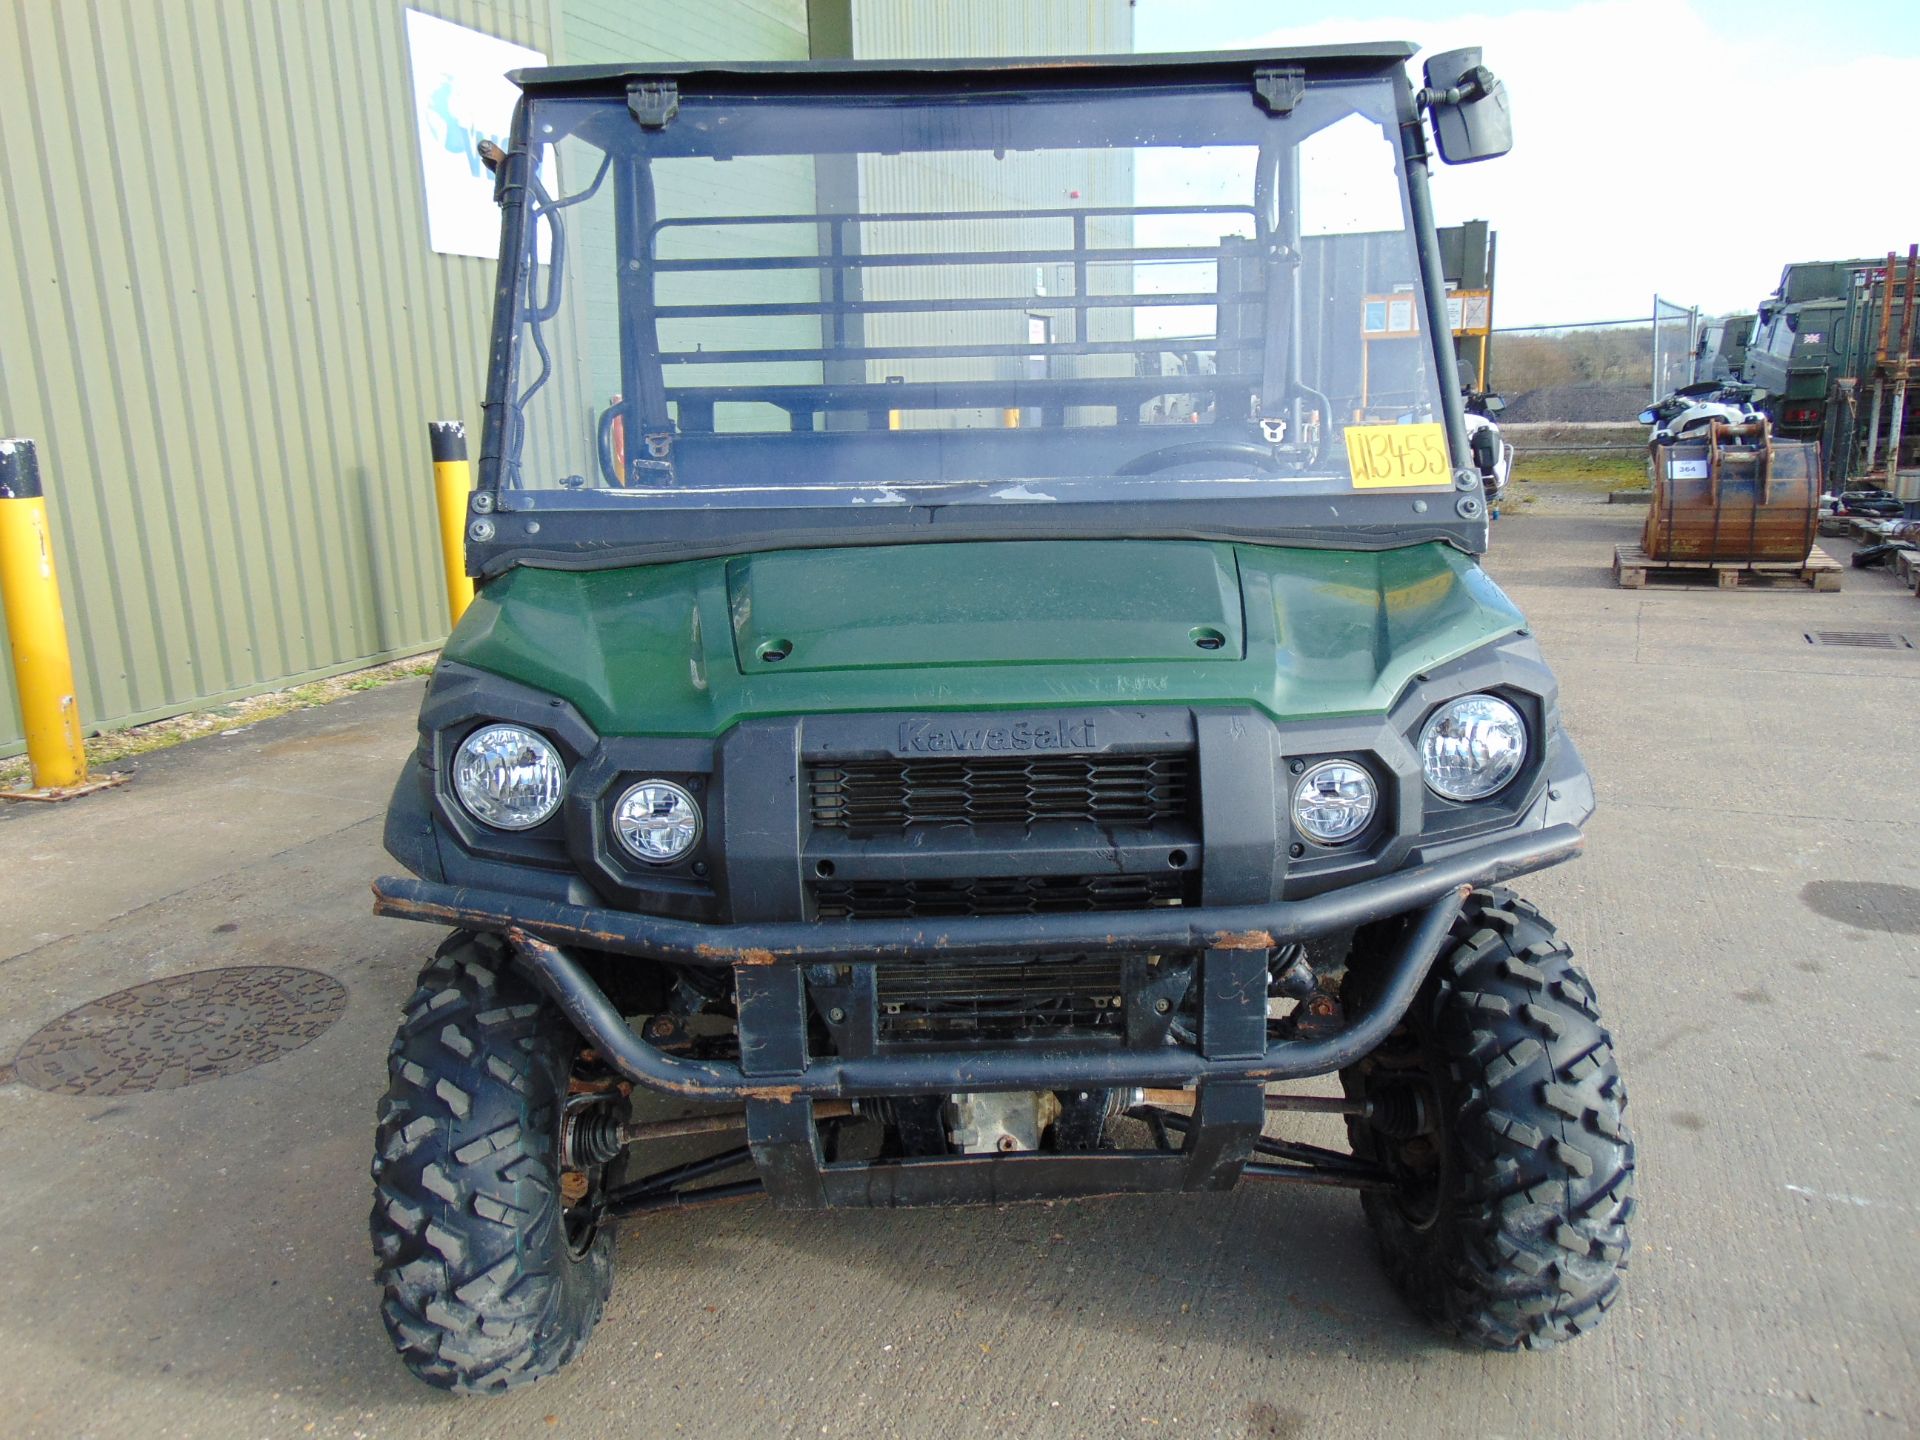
997 896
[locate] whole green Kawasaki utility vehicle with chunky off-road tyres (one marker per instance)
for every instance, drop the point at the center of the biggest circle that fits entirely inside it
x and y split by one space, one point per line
980 671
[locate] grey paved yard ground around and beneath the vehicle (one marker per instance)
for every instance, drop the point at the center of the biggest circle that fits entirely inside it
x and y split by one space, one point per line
195 1262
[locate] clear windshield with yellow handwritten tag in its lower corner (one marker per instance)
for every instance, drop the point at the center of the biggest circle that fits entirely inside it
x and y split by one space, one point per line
1001 297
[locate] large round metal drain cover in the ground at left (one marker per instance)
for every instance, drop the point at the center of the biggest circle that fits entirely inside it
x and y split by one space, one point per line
181 1032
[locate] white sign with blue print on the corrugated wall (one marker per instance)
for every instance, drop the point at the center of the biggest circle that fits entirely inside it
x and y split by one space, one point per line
462 95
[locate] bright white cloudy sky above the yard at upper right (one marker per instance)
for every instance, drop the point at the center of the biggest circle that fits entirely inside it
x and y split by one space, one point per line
1660 145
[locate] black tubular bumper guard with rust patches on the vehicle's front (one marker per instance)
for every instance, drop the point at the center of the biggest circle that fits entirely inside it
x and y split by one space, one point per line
769 965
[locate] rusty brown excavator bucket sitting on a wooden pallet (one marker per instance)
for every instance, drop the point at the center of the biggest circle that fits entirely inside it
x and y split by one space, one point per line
1737 494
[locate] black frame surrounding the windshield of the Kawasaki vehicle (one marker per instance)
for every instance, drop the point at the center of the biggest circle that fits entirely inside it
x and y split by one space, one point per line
587 529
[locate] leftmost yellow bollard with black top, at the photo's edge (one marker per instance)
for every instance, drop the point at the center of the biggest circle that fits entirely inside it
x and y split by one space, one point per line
37 629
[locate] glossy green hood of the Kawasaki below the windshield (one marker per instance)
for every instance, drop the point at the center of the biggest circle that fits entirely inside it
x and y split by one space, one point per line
681 650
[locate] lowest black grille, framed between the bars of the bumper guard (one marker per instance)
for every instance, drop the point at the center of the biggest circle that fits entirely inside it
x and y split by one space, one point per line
997 997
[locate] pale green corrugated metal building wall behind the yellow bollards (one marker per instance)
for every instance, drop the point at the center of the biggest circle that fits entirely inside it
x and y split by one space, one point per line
224 324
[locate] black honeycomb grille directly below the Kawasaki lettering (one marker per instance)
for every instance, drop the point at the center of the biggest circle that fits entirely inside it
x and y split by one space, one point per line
876 798
